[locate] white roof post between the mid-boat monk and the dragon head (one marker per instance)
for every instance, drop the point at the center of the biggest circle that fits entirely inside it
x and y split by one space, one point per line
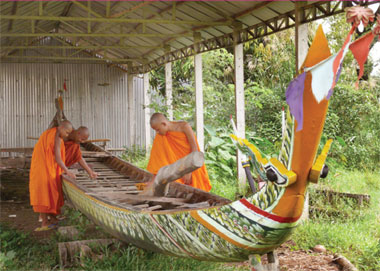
239 102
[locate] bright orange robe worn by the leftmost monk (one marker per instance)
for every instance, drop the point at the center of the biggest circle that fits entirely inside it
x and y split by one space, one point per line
45 185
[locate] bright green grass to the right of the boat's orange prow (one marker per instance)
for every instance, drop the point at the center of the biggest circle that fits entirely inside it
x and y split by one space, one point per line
355 232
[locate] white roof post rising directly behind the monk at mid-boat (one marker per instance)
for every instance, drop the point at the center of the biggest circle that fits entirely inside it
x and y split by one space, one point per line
198 94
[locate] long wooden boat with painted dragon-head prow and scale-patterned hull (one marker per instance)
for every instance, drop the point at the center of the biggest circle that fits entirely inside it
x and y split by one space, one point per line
188 222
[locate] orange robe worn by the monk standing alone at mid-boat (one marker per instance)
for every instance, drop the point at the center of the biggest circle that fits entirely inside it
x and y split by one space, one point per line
171 147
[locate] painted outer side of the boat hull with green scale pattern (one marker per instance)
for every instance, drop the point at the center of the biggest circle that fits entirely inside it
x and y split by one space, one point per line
228 233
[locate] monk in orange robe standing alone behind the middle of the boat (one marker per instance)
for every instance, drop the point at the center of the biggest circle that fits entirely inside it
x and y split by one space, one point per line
174 140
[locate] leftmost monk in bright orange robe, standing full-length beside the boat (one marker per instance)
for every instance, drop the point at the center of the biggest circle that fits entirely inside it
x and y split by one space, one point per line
47 165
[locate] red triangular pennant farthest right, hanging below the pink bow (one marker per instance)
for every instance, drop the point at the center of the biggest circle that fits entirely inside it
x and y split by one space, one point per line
360 50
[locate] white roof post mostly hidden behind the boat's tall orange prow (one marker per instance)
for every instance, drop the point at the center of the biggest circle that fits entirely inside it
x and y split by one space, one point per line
302 47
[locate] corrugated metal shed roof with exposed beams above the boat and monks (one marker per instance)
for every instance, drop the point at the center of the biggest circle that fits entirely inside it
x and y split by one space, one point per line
147 33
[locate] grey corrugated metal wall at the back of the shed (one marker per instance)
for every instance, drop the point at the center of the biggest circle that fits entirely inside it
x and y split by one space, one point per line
96 97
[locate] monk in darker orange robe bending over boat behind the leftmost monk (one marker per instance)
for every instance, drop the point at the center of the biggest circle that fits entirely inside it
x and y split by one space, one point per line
73 152
